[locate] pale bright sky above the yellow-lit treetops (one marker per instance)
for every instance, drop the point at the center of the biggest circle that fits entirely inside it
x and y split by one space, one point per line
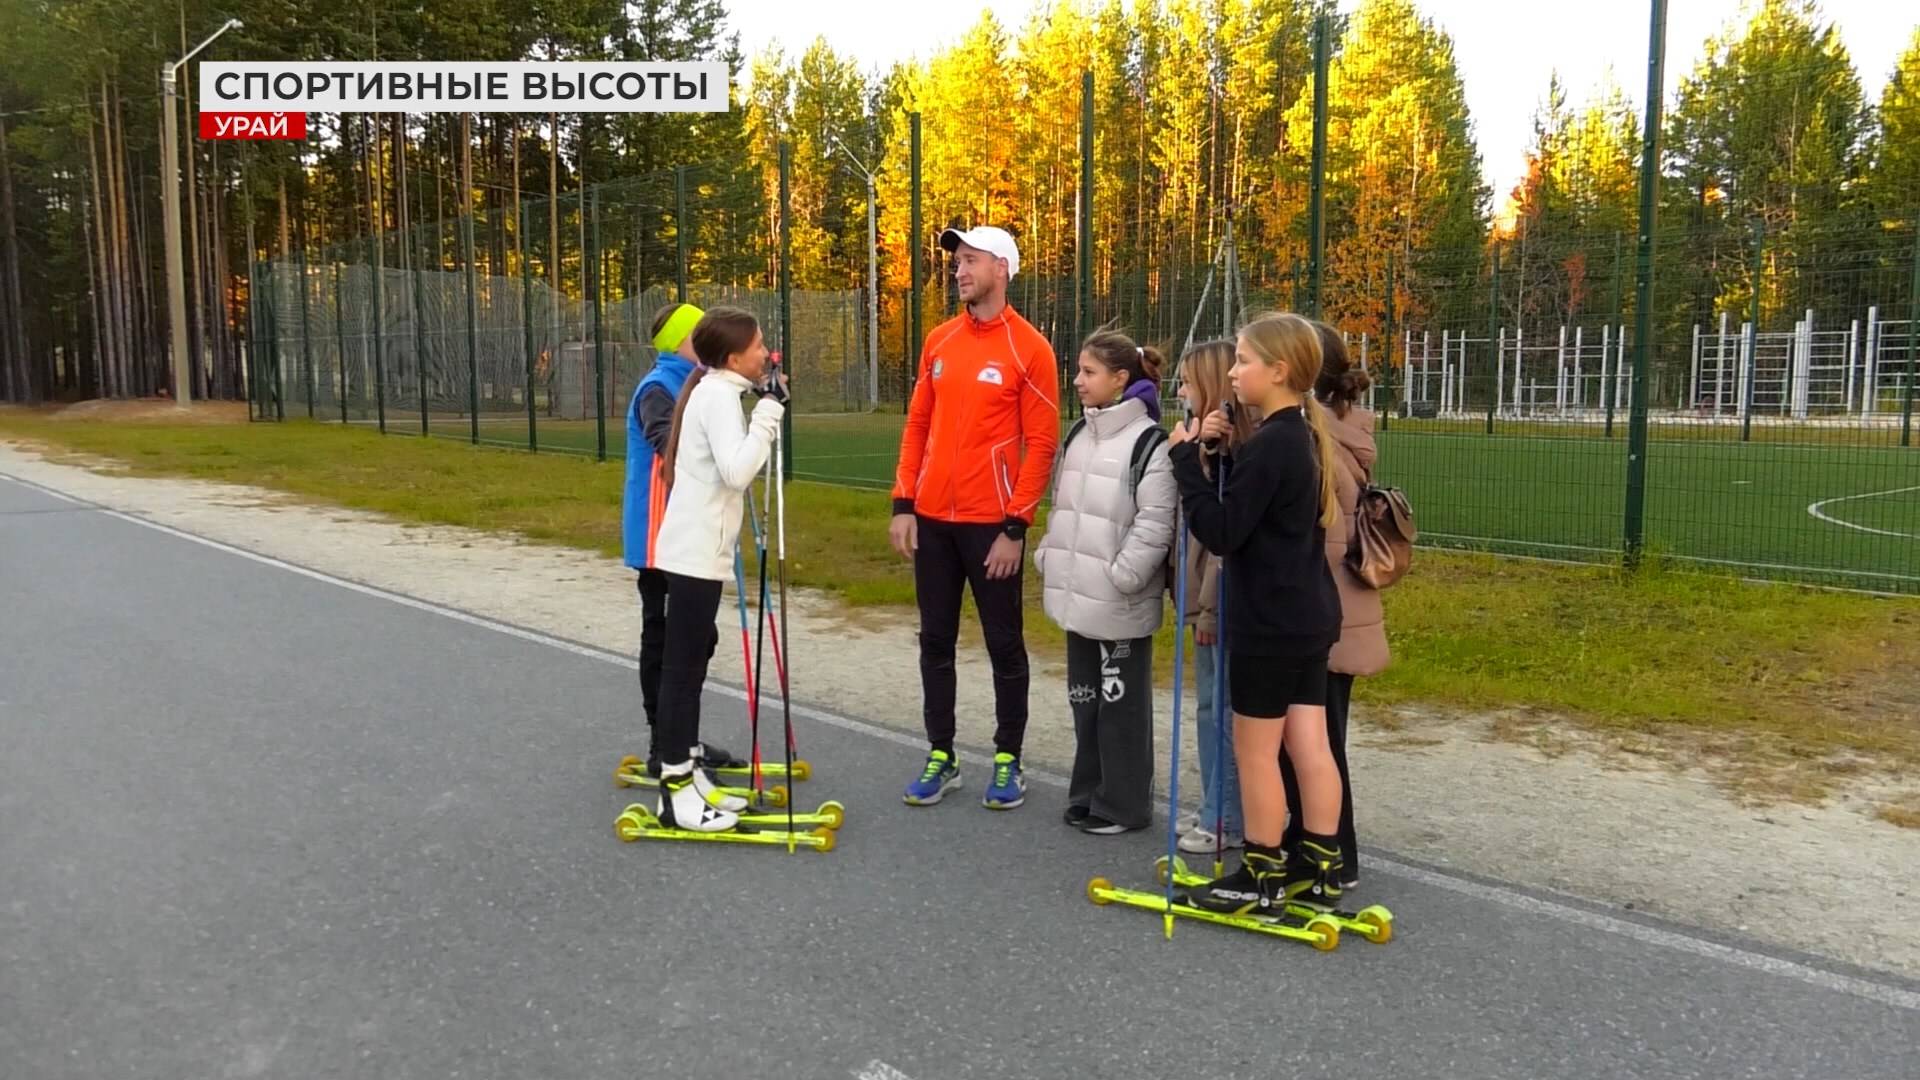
1506 49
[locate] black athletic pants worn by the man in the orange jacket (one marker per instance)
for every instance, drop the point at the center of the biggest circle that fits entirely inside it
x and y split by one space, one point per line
953 558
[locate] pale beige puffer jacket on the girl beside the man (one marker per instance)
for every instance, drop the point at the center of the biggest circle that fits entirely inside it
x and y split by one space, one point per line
1103 560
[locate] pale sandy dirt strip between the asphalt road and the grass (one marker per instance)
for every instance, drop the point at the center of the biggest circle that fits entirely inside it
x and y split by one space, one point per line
1583 822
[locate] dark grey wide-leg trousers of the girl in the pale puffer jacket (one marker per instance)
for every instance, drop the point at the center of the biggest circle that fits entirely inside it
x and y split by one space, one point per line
1111 687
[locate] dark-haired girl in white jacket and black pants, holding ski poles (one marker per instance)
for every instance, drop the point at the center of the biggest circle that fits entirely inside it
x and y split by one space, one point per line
711 460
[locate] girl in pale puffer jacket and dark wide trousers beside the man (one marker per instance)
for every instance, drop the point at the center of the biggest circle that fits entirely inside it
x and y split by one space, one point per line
1103 564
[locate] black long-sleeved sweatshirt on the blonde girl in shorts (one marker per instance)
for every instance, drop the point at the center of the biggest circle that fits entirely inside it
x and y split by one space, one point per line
1280 595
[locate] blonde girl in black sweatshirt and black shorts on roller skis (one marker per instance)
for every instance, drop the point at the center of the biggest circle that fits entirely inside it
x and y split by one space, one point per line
1272 531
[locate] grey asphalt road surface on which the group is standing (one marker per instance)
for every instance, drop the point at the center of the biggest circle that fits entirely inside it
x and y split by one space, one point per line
260 825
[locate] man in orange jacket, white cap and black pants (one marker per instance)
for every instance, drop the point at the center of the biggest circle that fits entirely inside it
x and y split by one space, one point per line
974 464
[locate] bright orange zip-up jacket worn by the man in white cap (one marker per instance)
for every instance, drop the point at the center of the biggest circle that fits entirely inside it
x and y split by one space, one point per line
984 426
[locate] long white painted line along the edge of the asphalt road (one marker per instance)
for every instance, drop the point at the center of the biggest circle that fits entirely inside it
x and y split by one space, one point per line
1656 937
